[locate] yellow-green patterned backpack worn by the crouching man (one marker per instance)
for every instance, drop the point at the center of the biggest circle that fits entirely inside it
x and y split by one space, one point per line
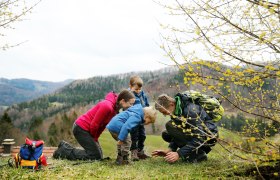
210 104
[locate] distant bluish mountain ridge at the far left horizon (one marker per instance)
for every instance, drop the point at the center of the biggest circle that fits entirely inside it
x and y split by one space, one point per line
20 90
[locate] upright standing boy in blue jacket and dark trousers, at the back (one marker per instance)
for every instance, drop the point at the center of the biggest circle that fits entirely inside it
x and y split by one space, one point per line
138 135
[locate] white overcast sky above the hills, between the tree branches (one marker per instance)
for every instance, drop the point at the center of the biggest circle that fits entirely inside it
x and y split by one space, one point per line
71 39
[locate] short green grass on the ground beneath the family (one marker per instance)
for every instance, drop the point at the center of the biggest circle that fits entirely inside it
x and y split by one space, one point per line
218 166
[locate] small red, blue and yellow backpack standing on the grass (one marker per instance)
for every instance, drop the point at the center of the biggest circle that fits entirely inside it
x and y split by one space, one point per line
31 155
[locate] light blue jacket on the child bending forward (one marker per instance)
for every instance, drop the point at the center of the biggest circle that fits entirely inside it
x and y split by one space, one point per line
126 120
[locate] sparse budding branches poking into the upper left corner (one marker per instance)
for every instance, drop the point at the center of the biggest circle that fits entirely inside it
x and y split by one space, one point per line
12 11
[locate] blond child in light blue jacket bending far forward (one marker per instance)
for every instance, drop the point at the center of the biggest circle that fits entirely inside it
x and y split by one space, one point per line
123 123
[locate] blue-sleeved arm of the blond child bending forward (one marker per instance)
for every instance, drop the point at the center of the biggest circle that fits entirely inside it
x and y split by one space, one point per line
130 123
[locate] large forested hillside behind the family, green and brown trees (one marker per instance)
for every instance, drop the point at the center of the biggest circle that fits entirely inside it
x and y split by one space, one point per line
51 116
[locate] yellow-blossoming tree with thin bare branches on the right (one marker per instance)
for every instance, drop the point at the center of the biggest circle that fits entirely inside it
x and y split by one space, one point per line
230 48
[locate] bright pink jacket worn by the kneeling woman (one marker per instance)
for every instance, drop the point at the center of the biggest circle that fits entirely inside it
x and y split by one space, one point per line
95 120
